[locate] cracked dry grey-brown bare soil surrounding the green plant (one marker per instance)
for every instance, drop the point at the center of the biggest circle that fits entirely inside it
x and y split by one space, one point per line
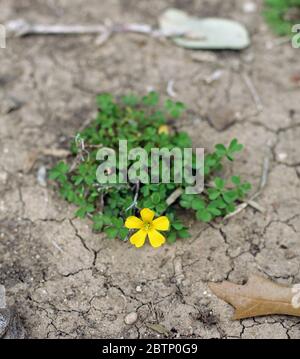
67 281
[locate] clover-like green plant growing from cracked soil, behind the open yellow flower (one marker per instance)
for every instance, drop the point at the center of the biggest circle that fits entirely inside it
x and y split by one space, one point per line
143 123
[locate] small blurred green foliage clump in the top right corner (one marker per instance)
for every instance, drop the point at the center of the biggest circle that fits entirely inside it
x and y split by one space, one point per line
281 15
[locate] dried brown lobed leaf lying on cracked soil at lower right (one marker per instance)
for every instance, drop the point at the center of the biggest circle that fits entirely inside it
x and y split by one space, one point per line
258 297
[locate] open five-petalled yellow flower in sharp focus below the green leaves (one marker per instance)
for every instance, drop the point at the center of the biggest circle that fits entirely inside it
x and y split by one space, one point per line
147 227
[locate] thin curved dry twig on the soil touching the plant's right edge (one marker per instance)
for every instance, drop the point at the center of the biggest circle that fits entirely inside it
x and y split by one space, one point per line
262 185
